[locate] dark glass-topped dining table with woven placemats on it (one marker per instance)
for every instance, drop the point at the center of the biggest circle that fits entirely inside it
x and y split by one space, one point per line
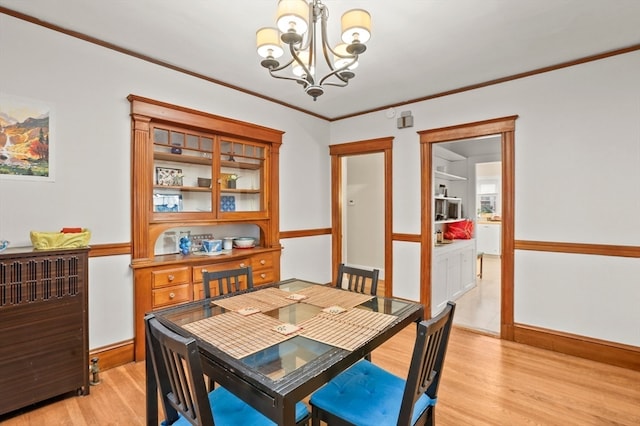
275 344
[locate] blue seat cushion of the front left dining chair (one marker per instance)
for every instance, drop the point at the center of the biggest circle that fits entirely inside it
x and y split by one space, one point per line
231 410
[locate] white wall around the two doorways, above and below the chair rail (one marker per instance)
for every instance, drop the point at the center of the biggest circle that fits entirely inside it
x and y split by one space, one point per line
577 175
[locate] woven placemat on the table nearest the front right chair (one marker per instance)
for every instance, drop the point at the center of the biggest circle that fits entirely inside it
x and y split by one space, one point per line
348 330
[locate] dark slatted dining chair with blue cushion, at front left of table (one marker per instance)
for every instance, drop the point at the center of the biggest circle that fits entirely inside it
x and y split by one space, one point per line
179 374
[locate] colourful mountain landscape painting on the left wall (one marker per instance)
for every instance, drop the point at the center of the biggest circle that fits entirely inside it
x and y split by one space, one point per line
24 138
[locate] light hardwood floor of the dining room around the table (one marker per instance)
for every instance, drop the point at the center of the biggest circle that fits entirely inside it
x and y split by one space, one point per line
486 381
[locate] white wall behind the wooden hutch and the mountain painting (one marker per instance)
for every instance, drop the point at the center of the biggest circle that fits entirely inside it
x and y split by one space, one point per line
87 86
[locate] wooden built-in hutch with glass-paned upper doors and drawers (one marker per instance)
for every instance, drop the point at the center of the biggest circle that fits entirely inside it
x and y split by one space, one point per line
182 160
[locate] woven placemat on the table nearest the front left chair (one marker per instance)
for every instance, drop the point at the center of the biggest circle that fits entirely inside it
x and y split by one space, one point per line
238 335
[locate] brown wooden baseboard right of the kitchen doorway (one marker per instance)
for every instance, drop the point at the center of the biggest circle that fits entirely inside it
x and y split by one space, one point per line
625 356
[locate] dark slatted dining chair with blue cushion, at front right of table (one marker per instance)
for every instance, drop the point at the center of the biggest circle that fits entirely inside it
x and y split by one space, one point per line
366 394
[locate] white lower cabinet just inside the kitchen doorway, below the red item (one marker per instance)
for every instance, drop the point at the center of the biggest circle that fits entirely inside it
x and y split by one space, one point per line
453 272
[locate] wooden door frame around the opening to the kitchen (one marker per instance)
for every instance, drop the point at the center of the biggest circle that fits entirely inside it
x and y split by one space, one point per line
504 128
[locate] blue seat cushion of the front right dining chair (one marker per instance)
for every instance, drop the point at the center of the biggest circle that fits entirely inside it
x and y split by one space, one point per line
365 394
